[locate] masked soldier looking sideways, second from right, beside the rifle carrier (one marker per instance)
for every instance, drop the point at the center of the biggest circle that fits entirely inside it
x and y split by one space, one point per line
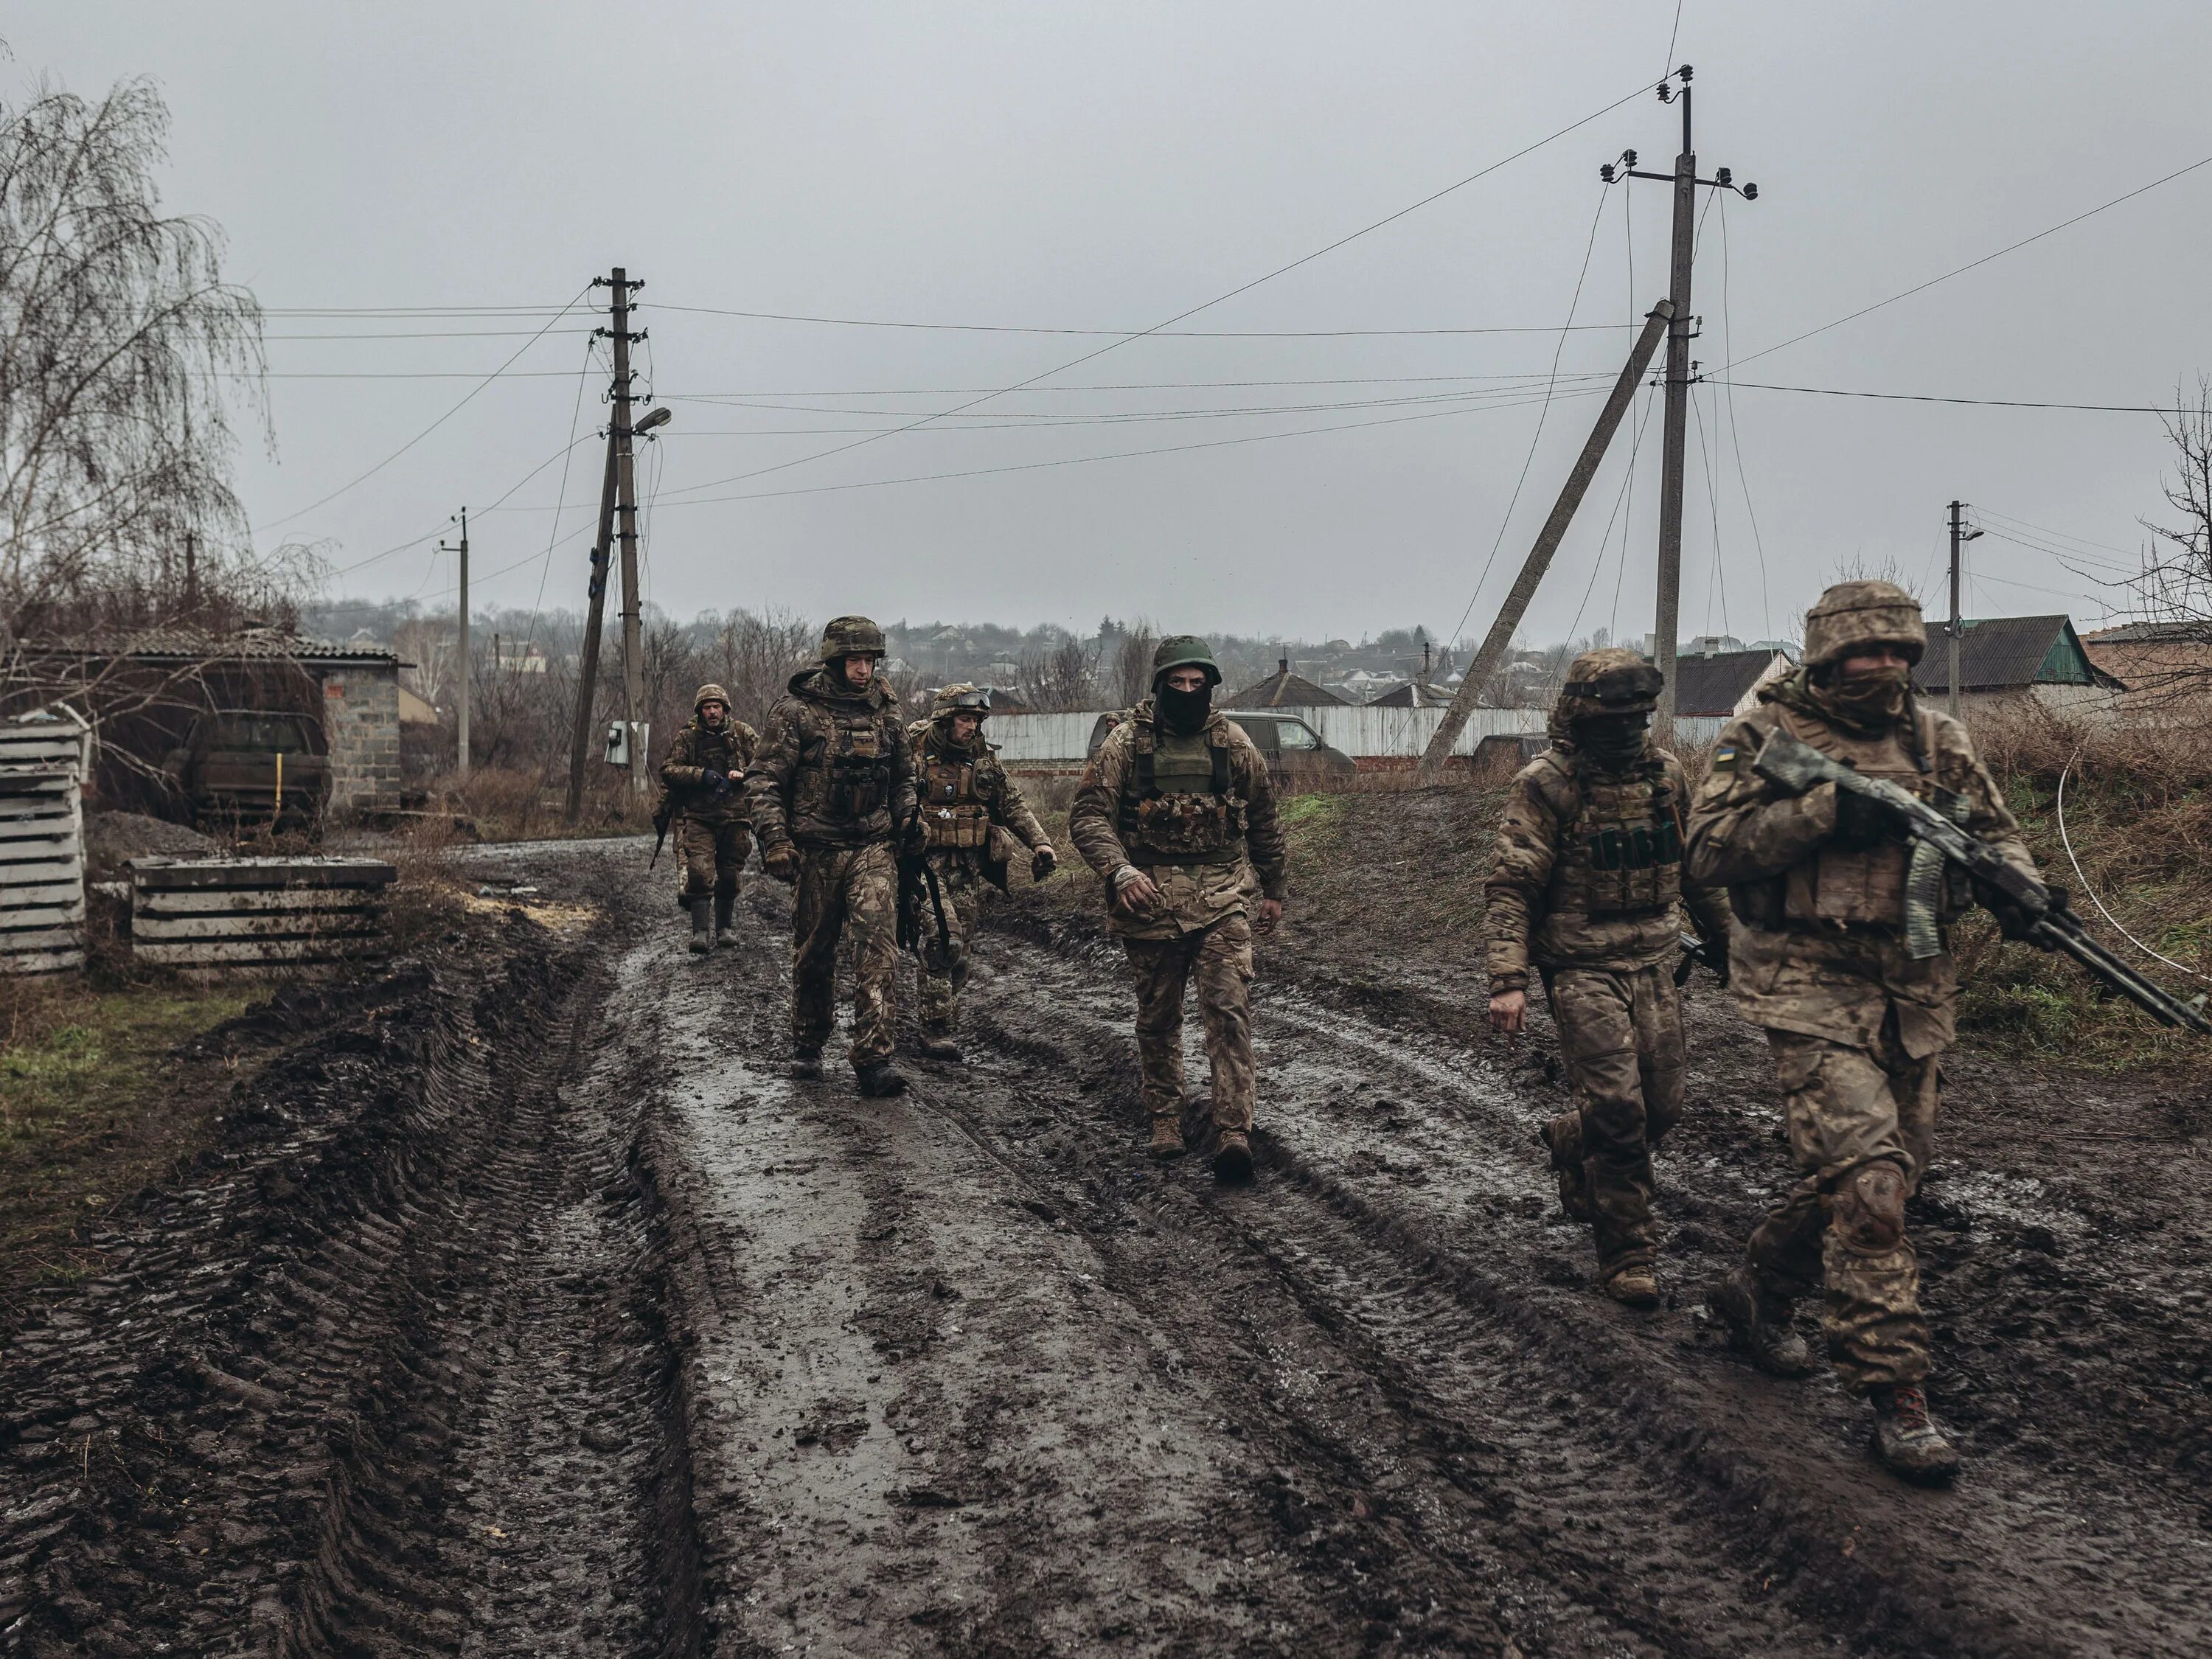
1589 888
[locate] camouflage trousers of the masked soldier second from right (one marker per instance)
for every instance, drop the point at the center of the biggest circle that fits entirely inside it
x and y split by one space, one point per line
1620 1036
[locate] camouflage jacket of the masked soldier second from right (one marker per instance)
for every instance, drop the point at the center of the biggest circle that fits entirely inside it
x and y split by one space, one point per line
1561 895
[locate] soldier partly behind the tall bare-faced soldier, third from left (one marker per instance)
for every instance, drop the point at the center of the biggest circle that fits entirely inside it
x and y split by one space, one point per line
970 815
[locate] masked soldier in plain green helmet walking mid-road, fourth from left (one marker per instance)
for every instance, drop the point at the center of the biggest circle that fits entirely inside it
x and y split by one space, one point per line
1178 817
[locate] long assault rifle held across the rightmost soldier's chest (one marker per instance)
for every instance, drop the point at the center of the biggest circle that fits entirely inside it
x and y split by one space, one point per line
2041 917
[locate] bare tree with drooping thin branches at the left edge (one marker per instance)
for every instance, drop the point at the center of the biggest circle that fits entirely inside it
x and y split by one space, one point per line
118 337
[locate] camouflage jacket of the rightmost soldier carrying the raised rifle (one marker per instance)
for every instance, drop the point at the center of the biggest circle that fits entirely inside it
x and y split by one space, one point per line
1822 950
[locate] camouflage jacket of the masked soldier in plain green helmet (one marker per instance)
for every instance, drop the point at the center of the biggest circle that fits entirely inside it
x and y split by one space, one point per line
1198 893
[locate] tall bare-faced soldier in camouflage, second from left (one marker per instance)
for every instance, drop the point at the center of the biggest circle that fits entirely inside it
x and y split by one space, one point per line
833 793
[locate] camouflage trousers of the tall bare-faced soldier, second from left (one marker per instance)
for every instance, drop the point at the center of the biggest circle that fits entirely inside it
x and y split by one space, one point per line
848 893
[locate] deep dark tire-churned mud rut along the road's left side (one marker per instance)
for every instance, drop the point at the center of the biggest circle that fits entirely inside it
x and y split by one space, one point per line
395 1386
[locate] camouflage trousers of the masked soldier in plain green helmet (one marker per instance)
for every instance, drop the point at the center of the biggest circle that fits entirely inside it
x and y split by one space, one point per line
1220 959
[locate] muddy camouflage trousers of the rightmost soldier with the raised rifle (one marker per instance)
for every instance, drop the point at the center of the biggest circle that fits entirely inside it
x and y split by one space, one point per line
1861 1131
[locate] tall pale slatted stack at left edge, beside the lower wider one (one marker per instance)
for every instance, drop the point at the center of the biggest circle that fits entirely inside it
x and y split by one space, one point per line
41 853
